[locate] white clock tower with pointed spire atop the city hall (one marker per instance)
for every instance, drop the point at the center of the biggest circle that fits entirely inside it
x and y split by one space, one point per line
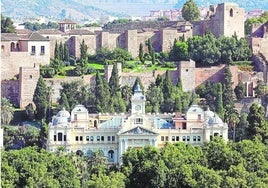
138 101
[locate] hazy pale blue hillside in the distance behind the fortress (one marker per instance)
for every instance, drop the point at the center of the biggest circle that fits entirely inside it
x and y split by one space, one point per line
100 9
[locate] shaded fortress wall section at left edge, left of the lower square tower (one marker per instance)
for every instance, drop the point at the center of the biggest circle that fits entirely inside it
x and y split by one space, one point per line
10 90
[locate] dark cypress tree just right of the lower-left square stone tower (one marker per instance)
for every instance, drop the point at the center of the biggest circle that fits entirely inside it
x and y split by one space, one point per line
40 99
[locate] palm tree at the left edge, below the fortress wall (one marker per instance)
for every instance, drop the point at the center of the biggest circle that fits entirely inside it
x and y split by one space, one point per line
7 111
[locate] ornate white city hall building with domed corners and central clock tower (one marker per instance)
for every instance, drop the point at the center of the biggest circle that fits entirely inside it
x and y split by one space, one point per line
114 134
